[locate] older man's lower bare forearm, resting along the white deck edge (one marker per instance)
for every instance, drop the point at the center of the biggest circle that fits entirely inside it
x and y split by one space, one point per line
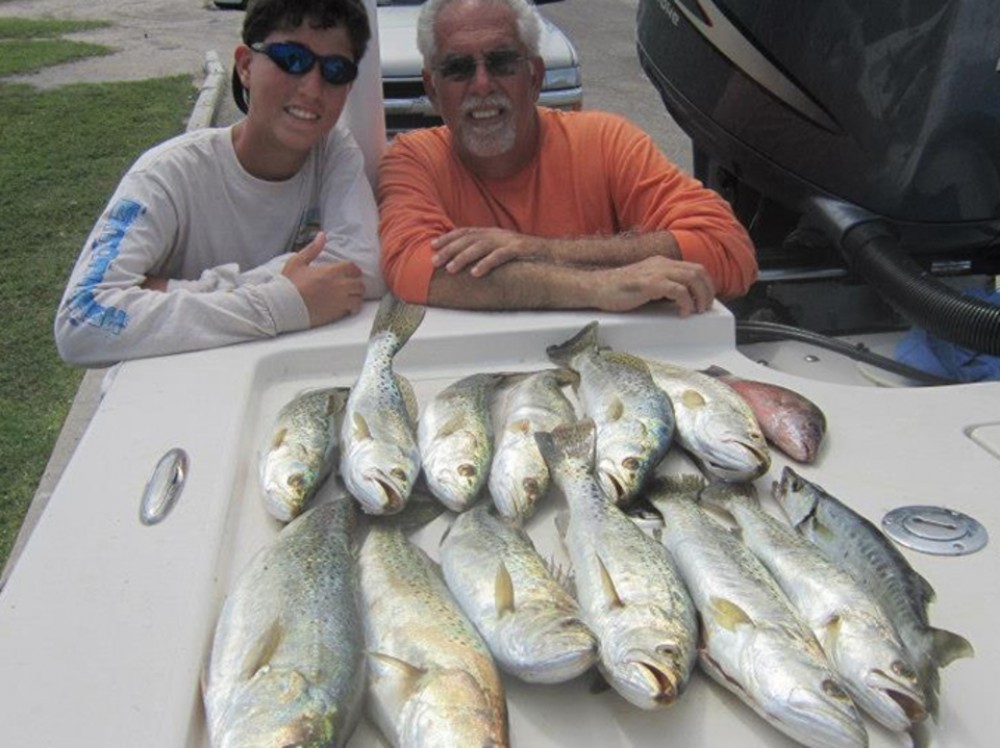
516 285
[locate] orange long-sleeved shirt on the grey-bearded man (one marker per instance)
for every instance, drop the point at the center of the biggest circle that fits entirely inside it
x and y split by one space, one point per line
595 174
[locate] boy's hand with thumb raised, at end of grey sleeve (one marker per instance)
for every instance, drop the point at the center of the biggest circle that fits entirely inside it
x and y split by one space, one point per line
329 291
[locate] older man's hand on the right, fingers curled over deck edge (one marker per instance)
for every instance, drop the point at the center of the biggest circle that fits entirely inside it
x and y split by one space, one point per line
625 288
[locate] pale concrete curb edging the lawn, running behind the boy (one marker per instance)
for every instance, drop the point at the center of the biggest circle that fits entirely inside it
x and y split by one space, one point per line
89 393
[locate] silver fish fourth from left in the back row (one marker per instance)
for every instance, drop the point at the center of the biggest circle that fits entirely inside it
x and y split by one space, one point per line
525 404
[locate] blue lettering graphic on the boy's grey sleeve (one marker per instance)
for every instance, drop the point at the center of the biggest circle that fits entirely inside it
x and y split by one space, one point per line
83 306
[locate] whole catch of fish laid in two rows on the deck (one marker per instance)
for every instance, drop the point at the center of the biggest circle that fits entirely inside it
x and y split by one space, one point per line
810 622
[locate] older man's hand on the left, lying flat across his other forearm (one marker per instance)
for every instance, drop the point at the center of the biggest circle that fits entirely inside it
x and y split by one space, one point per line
483 249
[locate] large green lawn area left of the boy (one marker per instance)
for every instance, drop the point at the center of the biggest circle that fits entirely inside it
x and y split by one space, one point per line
62 152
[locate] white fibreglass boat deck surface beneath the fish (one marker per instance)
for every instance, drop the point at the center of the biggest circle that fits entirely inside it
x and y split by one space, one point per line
105 623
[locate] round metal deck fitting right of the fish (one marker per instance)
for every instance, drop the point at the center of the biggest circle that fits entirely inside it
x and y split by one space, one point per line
935 529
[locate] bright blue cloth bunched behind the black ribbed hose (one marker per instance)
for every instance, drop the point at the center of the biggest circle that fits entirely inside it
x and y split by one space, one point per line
926 352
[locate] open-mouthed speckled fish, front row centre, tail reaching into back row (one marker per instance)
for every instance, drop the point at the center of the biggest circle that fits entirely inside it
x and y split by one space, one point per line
631 595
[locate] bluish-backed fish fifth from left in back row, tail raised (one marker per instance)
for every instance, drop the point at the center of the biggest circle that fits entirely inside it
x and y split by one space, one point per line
633 417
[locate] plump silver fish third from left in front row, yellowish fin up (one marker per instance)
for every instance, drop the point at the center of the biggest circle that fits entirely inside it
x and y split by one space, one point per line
531 624
